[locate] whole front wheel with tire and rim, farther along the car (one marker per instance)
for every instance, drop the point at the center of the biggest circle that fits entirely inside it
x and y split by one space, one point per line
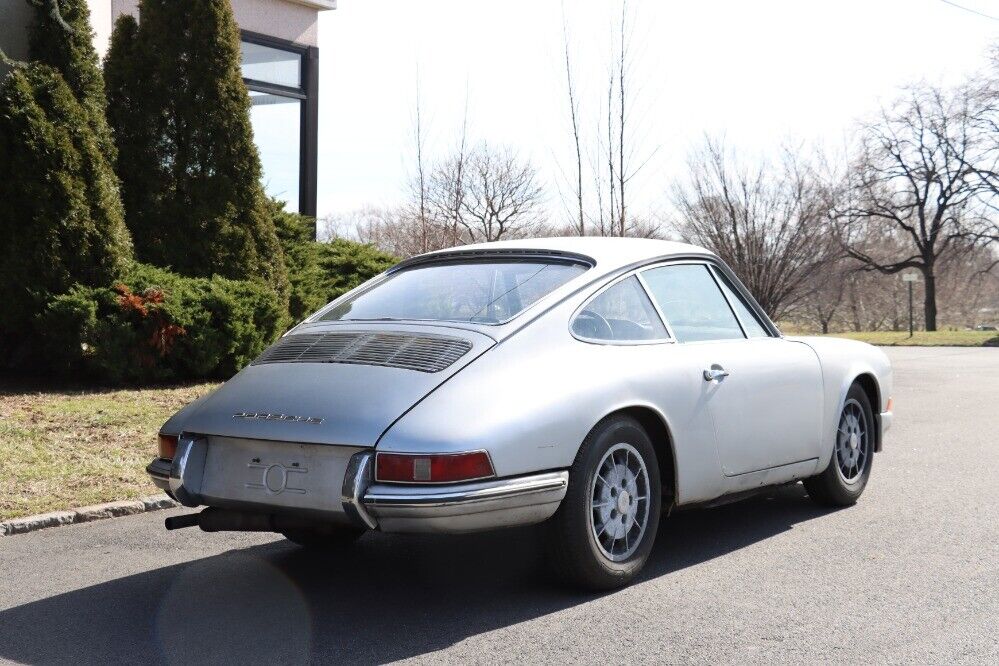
844 480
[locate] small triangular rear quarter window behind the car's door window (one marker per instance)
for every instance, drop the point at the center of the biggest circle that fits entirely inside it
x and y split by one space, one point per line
622 313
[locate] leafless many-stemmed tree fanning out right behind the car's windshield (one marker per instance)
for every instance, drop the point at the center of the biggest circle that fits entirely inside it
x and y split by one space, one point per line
769 222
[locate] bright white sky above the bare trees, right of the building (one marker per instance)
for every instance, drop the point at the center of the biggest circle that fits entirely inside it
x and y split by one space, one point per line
763 72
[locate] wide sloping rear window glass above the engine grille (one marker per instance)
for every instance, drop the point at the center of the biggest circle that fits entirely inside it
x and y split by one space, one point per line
485 291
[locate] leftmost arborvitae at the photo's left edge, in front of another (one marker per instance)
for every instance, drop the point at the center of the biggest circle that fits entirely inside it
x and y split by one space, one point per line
61 220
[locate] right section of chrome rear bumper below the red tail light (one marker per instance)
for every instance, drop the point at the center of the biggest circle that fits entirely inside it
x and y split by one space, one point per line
467 507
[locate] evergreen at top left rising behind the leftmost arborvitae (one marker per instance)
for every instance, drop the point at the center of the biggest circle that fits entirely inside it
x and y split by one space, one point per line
65 42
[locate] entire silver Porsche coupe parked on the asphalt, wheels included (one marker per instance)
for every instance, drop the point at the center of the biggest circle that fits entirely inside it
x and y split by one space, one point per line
593 384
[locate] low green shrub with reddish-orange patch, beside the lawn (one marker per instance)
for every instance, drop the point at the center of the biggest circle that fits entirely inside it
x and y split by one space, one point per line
156 325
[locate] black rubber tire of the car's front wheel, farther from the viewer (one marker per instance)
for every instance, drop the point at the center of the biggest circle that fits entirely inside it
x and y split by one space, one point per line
831 488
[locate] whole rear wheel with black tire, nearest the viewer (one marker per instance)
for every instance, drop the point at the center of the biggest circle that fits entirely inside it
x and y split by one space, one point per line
604 530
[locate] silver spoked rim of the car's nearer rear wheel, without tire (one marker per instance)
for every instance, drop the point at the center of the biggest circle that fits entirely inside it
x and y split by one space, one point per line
619 501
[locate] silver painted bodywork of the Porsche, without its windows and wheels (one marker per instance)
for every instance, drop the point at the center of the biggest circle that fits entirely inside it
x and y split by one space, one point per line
300 438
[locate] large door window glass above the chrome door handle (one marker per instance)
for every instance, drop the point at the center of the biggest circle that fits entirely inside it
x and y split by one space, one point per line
690 300
